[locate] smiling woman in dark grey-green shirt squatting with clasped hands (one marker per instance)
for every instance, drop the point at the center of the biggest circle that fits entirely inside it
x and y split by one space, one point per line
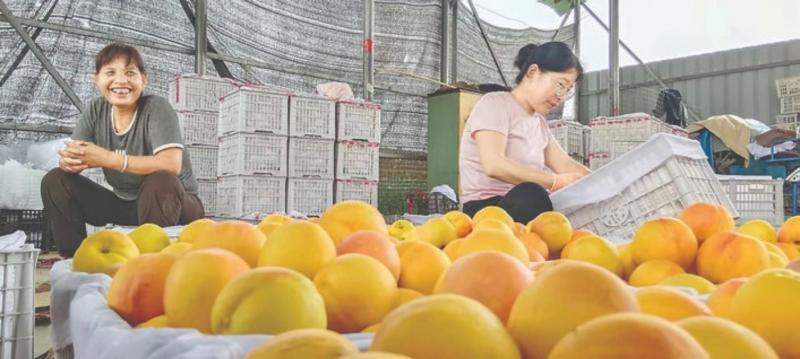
137 142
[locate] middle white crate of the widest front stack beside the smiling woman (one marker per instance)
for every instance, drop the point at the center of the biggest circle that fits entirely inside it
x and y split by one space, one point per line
252 153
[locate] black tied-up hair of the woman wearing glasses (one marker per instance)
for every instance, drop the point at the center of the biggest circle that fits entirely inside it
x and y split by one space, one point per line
553 56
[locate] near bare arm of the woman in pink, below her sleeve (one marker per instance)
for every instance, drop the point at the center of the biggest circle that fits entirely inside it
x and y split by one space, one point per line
492 148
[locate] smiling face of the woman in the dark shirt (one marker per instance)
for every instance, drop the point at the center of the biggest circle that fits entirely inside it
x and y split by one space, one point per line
120 82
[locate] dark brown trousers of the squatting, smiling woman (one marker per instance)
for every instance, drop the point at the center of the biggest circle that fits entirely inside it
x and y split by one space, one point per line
72 200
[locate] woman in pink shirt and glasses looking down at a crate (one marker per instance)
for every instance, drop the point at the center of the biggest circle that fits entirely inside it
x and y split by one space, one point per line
508 157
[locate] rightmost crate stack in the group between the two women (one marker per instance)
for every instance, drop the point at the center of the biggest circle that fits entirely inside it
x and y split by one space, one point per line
358 137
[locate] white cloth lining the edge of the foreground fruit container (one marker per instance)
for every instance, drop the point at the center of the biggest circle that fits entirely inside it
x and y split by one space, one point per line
80 316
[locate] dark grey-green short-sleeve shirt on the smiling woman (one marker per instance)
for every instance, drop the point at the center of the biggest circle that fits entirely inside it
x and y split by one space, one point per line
154 128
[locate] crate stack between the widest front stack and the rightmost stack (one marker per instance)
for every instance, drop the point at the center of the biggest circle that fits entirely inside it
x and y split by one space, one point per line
311 170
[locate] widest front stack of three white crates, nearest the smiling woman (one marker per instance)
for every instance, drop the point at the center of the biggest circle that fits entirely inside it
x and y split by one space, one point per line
252 157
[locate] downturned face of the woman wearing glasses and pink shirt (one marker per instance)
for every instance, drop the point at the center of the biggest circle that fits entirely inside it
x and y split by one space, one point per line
544 91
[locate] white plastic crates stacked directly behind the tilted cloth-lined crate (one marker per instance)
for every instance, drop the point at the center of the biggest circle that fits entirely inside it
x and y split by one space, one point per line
613 136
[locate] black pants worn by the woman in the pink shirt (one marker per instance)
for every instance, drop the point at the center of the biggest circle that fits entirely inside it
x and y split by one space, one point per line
523 202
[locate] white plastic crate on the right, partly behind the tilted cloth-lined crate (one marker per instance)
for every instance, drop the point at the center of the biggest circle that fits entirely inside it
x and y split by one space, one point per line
755 197
